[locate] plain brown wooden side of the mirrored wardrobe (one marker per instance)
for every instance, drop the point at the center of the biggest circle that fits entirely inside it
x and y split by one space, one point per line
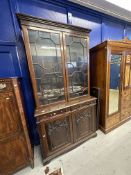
98 72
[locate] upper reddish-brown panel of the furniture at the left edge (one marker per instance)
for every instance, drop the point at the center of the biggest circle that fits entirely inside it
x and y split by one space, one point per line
9 115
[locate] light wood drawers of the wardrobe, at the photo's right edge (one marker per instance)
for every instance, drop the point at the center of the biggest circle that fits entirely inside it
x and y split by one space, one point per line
126 104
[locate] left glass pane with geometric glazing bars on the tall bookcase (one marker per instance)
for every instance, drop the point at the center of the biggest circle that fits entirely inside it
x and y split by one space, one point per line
46 57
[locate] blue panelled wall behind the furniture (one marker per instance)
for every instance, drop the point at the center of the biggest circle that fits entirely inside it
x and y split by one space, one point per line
12 53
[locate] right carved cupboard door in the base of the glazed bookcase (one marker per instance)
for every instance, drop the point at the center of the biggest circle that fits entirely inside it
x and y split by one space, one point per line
83 122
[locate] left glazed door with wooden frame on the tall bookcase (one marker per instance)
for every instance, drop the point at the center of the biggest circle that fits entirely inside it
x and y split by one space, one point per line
45 60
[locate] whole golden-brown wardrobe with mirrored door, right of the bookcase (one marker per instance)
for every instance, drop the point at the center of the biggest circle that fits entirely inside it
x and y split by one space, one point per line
110 68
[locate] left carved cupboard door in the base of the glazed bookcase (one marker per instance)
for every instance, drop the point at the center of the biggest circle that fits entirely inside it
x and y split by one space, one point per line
56 133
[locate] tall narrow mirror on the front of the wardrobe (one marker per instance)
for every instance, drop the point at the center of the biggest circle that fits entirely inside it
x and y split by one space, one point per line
114 83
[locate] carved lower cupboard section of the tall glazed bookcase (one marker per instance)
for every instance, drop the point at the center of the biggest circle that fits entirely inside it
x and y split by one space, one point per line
63 131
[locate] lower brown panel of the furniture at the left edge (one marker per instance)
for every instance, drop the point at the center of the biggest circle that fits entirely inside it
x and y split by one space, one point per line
13 155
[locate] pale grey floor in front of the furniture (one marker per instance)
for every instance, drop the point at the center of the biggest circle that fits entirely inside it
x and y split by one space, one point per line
104 155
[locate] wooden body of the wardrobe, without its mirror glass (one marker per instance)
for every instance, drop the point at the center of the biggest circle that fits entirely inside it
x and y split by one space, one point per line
100 78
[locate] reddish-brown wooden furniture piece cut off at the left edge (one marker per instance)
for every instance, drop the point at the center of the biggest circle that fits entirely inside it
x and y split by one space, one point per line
15 147
